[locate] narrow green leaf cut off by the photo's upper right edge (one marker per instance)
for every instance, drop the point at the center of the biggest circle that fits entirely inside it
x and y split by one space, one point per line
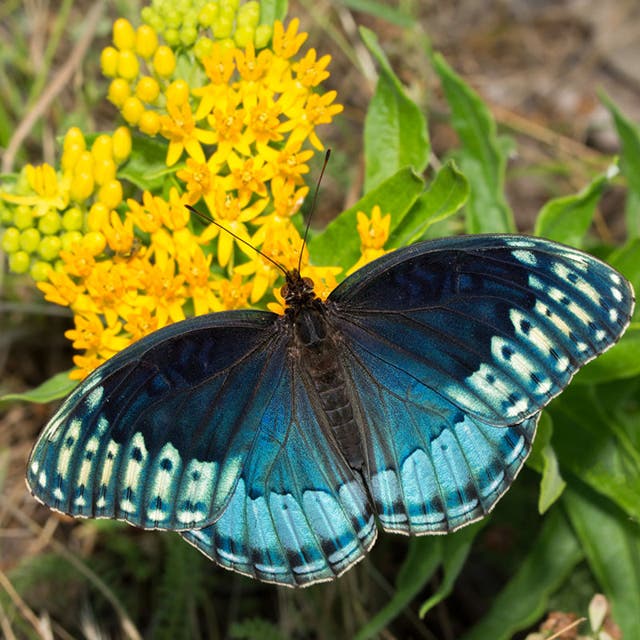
629 134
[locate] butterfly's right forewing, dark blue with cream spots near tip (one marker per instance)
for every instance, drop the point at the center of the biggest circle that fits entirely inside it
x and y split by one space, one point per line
496 325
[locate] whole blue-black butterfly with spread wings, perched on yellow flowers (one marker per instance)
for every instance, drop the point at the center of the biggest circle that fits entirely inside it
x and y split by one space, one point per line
276 444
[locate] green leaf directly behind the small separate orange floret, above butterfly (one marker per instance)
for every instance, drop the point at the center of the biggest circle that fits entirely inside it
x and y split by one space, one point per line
339 243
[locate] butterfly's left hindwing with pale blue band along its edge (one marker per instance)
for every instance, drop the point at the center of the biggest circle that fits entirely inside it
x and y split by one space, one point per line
300 518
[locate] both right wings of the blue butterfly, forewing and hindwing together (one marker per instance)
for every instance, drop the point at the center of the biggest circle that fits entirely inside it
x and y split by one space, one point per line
459 343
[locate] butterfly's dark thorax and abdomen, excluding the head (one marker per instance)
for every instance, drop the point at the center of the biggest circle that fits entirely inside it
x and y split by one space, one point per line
318 353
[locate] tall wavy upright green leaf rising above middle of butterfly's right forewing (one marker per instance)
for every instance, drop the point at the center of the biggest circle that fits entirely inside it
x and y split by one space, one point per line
483 156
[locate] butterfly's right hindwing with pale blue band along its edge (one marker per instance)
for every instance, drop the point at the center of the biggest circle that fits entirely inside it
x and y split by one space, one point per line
431 468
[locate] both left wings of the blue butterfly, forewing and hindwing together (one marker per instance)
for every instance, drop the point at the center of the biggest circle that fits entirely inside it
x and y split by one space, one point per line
206 422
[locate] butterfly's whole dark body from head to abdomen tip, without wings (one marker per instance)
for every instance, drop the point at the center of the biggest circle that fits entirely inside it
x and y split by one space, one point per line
316 348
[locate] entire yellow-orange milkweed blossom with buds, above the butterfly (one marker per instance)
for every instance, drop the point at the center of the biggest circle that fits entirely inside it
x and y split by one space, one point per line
237 117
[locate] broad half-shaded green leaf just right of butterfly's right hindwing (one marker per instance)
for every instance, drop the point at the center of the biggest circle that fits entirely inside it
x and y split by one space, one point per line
593 445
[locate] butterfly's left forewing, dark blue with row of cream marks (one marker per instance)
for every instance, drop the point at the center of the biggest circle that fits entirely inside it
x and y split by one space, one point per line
158 435
